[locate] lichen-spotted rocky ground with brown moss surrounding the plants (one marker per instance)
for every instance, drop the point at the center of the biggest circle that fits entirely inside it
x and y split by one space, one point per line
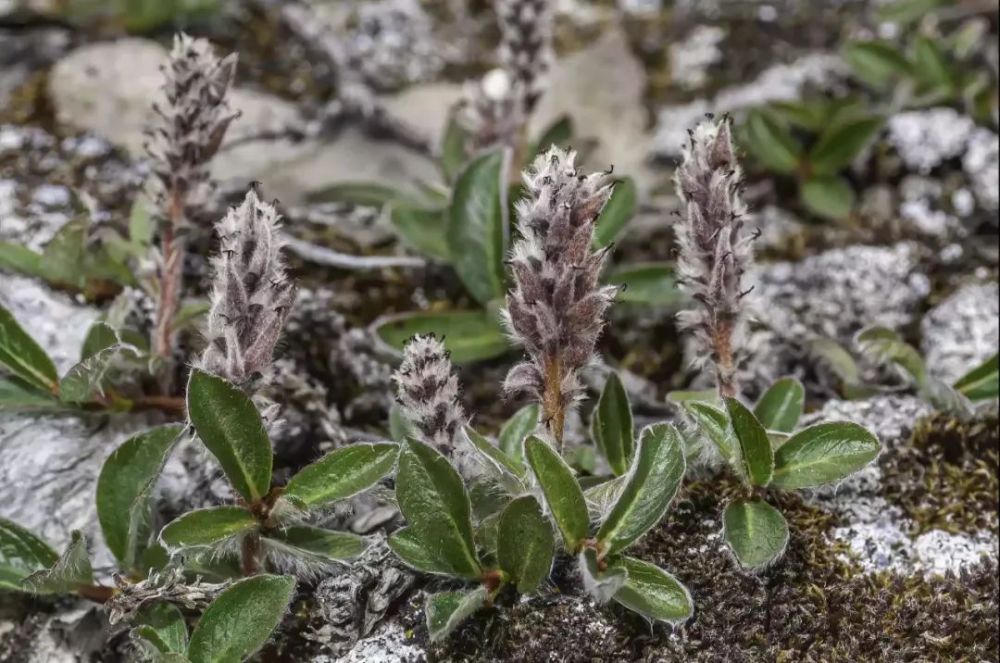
898 563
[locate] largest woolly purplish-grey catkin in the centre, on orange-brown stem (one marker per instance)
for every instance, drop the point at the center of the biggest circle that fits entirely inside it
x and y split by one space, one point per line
556 309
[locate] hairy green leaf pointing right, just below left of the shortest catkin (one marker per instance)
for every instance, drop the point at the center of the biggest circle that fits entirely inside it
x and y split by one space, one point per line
340 474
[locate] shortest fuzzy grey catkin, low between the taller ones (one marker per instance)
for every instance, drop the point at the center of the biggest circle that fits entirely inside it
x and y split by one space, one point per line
427 388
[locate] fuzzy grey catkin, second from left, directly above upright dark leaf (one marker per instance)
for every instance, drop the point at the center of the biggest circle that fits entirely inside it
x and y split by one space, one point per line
251 294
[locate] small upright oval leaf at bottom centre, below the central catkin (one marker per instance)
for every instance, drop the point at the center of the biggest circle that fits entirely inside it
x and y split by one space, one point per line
525 546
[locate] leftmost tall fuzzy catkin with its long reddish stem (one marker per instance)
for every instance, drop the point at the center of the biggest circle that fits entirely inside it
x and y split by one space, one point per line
186 133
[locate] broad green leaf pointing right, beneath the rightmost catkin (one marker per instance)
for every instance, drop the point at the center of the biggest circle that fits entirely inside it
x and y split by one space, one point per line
824 453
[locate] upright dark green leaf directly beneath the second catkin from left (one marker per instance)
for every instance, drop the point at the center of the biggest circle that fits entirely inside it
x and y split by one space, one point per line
230 426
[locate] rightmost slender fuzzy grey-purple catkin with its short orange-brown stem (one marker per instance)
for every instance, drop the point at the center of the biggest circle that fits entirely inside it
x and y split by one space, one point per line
714 253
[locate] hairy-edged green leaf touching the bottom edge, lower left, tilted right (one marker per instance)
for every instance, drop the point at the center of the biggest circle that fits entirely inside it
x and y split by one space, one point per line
241 619
